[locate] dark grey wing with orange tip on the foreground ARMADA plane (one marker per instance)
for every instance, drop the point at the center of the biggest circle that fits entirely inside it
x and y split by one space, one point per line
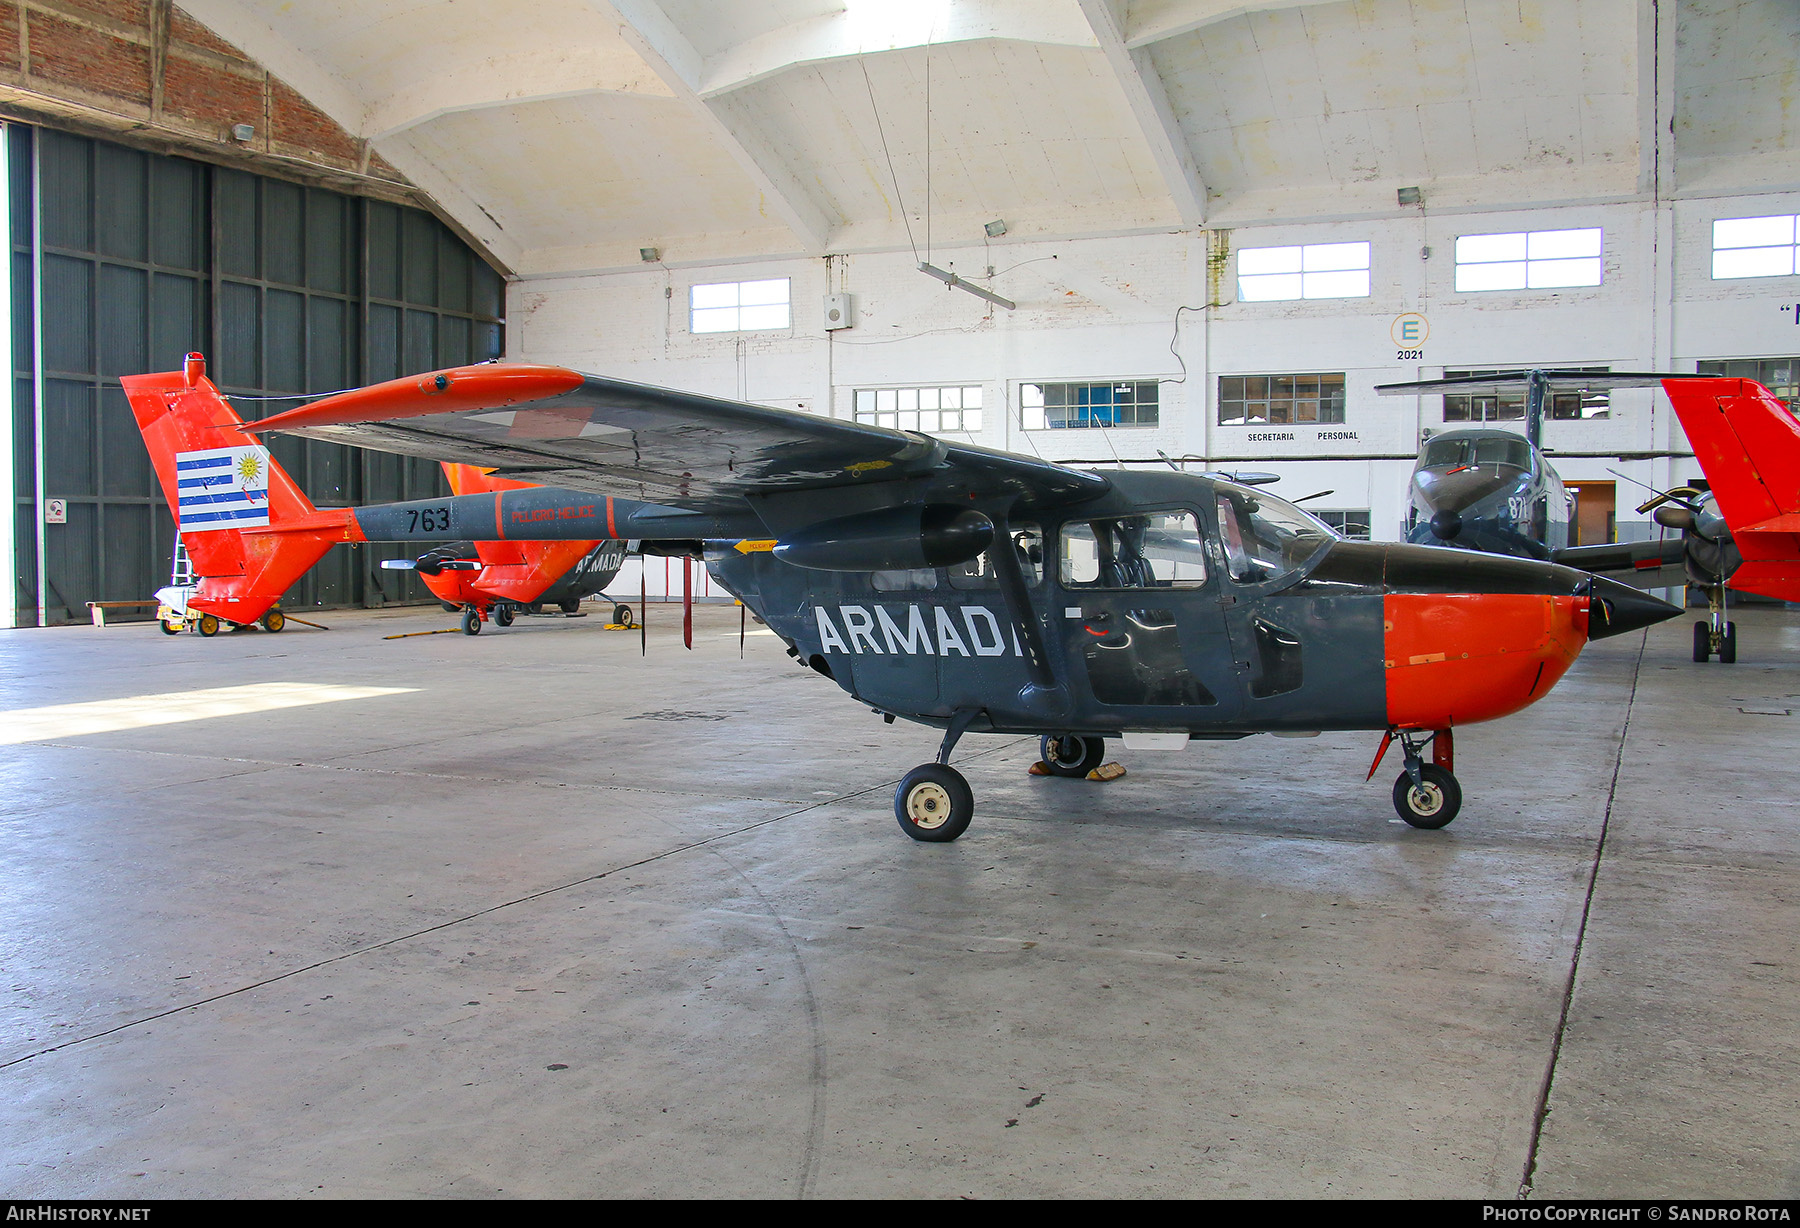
561 428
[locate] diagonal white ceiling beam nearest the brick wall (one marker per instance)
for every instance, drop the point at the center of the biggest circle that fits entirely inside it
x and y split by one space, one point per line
260 41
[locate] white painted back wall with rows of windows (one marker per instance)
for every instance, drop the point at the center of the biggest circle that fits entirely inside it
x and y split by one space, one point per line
1106 309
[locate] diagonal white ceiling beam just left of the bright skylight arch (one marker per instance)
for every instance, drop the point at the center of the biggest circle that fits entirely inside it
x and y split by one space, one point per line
681 68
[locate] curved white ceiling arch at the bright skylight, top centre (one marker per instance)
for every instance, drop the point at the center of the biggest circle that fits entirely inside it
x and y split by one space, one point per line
890 28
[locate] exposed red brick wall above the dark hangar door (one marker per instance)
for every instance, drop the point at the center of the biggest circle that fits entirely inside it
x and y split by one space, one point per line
147 68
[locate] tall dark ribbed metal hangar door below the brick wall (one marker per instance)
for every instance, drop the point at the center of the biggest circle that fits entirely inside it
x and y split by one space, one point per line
123 262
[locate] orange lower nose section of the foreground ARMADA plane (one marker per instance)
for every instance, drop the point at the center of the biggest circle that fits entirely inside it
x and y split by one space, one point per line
1459 658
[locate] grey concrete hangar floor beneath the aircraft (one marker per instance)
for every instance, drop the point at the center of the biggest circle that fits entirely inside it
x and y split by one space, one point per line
552 919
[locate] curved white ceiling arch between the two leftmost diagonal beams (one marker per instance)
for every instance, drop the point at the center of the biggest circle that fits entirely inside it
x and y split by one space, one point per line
512 80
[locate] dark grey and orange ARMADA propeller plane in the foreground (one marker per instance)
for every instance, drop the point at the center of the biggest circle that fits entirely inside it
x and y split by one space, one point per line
975 590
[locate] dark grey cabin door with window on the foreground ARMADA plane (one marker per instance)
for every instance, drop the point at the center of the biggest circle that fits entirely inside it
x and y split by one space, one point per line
1142 622
